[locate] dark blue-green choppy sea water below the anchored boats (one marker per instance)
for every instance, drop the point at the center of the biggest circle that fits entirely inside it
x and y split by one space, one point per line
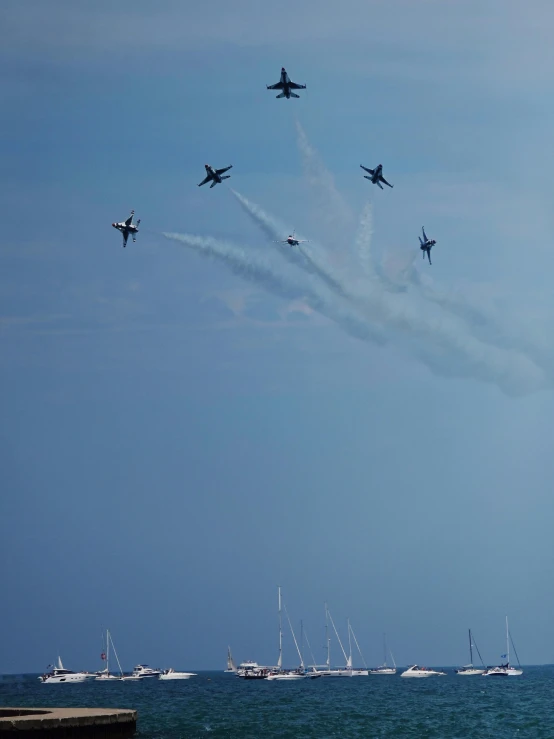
215 705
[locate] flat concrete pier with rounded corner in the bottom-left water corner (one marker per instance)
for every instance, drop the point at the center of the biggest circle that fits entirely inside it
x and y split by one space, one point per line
67 723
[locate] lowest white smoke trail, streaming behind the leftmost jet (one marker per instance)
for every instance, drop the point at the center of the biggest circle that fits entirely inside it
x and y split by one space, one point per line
262 273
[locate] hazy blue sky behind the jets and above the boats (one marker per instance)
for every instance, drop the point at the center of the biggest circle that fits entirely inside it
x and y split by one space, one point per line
180 435
